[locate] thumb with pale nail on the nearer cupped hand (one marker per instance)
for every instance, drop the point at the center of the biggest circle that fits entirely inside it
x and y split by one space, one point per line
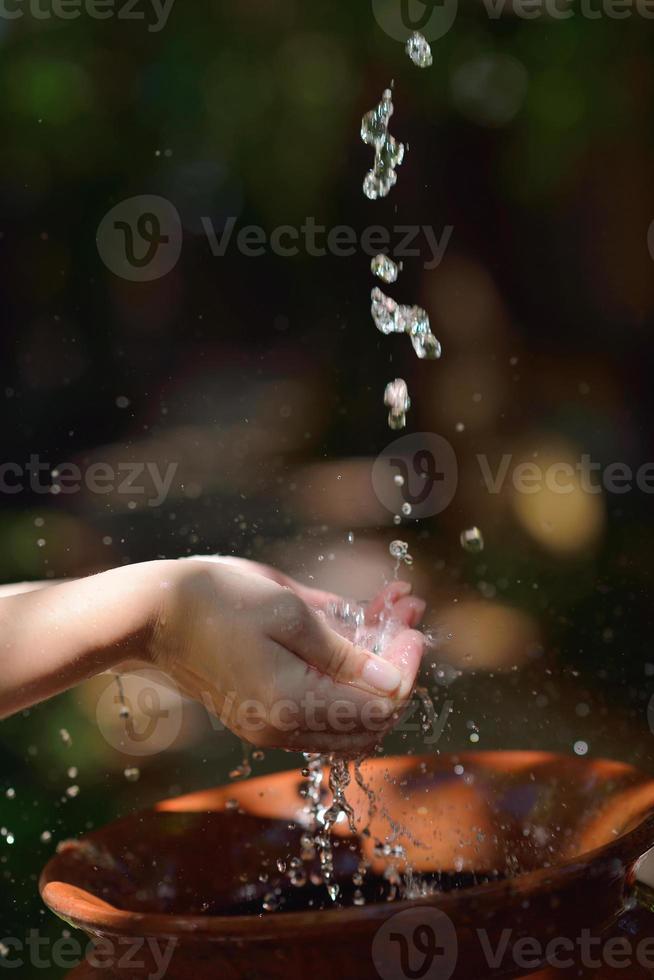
296 627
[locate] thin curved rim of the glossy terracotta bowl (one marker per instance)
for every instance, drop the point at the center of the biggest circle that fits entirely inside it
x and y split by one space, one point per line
88 912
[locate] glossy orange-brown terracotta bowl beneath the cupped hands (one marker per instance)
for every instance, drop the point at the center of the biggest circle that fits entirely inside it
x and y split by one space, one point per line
521 845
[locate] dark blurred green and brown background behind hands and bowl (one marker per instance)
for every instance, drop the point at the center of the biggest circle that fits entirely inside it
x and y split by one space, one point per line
261 378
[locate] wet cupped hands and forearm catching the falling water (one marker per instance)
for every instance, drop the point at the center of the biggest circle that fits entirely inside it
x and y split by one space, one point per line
234 634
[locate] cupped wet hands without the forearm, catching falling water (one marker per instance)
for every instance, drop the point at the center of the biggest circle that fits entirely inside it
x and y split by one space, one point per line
254 646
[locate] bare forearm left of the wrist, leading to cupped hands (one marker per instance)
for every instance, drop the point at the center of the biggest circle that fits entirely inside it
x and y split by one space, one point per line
54 638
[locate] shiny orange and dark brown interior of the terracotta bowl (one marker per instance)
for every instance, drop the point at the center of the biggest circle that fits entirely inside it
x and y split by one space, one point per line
461 819
